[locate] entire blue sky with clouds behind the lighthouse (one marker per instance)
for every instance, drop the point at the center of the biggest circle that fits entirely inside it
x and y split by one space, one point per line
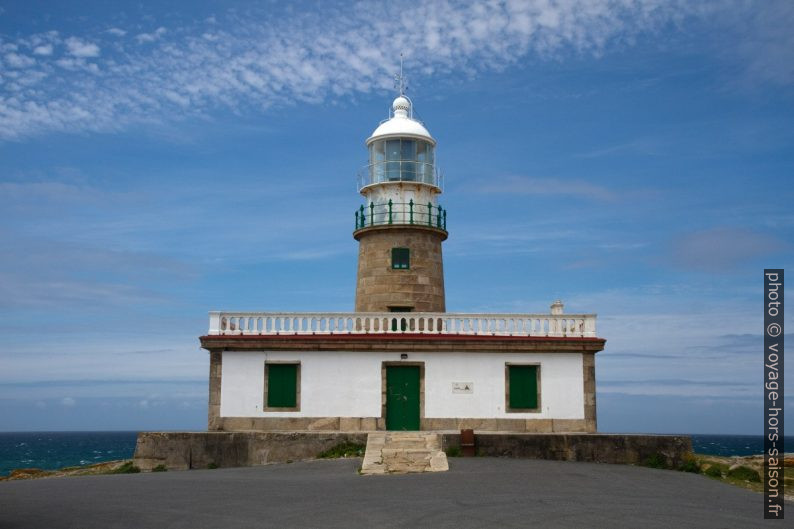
160 160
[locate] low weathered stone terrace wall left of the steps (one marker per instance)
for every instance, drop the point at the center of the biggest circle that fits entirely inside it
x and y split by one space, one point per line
186 450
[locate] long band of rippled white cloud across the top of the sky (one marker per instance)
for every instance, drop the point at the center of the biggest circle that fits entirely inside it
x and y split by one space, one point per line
256 60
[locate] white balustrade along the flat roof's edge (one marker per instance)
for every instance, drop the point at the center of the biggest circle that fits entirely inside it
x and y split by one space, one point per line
445 323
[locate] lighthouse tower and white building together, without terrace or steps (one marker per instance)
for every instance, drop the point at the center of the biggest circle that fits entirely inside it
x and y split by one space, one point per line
421 369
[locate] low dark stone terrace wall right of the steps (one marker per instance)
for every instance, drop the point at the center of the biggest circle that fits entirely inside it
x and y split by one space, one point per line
597 448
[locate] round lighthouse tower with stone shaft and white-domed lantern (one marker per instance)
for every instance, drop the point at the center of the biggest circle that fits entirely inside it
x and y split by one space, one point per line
400 225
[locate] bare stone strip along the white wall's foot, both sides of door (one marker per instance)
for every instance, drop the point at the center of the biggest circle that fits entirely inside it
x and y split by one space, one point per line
368 424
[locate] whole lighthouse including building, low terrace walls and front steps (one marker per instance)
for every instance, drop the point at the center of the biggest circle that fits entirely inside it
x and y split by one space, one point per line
314 380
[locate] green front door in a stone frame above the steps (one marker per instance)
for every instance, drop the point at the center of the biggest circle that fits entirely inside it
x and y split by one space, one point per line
402 397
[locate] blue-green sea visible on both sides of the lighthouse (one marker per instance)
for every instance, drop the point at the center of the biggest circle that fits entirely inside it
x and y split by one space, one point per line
54 450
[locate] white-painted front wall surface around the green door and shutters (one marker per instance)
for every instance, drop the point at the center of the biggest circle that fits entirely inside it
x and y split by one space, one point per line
348 384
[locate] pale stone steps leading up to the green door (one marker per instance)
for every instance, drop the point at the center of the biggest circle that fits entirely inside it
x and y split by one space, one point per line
403 452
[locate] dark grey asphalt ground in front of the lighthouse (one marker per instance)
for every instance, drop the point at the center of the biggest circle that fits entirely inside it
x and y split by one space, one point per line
477 492
